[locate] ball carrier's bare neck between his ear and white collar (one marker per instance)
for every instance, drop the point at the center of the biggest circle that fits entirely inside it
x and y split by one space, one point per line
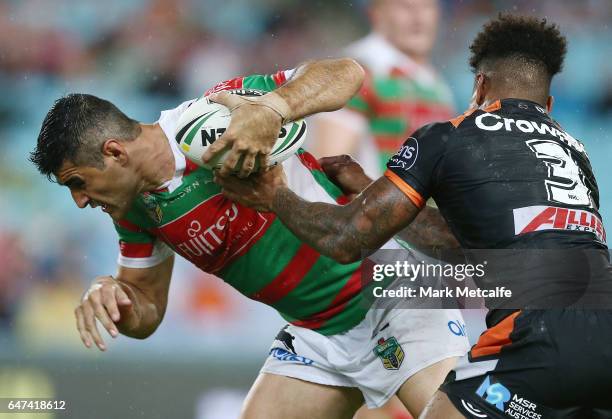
157 164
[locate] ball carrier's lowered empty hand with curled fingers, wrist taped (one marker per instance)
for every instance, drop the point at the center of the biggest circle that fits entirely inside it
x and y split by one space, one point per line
104 301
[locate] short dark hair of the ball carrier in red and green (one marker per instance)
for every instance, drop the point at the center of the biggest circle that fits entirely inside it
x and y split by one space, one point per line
74 130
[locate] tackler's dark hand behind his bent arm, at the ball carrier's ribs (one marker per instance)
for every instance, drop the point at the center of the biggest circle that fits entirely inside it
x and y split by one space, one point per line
346 173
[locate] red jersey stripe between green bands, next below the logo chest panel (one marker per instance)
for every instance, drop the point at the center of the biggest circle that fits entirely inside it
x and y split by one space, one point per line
290 277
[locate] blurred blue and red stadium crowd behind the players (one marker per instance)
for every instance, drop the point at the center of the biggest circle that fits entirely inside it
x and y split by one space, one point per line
150 55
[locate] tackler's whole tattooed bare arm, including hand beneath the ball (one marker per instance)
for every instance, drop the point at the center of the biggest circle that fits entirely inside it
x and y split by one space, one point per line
340 232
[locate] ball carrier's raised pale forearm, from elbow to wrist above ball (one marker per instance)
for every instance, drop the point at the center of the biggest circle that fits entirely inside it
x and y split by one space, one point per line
321 86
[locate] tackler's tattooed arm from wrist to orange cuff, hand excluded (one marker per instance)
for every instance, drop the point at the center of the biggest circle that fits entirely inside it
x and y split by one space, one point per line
344 232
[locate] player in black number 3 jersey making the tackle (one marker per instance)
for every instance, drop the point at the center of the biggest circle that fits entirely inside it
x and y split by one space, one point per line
505 175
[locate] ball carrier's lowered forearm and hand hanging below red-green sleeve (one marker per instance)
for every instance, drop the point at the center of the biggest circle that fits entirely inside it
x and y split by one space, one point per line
132 303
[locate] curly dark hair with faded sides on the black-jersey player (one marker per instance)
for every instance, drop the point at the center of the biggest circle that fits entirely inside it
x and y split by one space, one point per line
526 41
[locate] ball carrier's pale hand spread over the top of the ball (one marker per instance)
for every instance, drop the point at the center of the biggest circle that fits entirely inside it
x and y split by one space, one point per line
252 132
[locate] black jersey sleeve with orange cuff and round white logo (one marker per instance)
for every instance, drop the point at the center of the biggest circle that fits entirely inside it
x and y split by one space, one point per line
415 168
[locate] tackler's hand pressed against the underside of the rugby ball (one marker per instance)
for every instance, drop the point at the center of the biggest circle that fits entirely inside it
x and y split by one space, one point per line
256 191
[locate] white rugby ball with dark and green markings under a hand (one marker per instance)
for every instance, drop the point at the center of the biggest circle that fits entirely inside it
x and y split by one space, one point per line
203 122
